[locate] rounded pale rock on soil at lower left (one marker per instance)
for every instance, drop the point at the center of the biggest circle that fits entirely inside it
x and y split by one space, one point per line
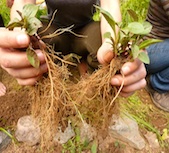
27 131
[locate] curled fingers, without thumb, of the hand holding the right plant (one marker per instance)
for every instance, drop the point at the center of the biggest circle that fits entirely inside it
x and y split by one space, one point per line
134 77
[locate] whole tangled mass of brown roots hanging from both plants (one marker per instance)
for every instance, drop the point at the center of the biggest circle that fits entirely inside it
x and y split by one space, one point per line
55 97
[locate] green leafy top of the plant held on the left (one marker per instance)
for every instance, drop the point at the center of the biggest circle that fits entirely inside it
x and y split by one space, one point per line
30 24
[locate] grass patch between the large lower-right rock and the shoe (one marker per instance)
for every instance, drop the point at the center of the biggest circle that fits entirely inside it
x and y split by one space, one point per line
144 113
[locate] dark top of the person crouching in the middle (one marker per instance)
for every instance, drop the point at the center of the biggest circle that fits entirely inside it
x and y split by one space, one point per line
71 12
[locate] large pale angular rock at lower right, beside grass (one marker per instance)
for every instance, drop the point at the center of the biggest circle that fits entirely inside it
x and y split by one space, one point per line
126 130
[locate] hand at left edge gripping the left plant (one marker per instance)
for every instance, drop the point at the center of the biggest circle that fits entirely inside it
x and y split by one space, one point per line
15 62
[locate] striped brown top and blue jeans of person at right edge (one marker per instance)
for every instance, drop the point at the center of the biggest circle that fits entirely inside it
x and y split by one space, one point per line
158 69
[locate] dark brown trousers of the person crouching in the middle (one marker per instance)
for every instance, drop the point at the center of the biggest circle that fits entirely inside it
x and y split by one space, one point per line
86 46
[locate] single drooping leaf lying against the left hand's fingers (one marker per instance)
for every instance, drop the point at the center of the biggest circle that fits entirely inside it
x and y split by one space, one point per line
32 57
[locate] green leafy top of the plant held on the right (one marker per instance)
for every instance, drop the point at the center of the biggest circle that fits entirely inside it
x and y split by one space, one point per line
129 40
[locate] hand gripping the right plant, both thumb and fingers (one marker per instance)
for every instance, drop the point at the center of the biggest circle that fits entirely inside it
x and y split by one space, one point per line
134 72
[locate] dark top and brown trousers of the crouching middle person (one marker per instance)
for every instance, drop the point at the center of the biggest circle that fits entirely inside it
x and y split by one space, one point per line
78 13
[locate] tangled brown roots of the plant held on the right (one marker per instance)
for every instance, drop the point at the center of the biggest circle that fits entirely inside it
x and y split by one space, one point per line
96 96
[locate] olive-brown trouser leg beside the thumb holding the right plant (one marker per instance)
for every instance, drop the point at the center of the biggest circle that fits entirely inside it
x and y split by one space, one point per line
88 46
